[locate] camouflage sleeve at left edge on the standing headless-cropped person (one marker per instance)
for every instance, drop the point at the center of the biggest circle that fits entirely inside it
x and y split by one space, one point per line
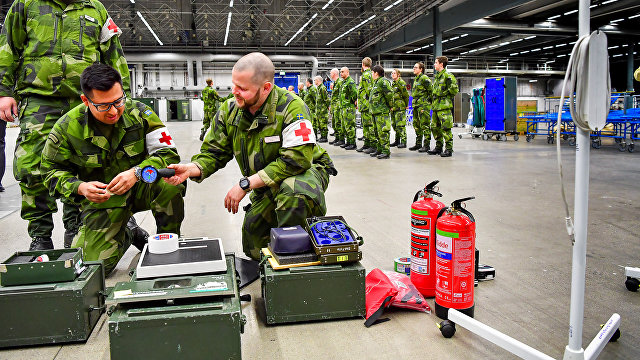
12 38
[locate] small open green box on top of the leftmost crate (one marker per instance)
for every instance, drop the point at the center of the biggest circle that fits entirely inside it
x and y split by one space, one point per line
20 269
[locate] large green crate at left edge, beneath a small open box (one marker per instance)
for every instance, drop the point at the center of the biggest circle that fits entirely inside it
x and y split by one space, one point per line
52 313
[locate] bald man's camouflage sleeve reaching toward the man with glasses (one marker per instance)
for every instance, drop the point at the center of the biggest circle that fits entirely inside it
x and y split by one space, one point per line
217 149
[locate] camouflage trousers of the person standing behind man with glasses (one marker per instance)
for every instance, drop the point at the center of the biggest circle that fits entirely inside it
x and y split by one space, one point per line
37 117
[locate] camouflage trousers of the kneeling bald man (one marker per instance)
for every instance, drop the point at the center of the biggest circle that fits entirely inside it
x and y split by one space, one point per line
298 198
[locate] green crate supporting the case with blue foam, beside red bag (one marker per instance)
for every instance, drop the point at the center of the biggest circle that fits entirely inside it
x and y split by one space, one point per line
318 292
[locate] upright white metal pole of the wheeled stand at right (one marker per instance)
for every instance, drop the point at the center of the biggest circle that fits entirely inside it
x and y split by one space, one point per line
574 348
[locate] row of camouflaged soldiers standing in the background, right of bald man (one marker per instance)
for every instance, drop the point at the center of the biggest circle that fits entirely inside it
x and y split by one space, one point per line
382 104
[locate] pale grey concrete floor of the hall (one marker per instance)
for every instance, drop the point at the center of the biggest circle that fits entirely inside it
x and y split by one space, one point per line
520 231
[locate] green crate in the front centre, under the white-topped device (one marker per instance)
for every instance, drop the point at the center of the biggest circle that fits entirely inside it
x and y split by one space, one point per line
181 328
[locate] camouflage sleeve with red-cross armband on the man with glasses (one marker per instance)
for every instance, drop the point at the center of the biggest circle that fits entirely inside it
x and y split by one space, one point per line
161 154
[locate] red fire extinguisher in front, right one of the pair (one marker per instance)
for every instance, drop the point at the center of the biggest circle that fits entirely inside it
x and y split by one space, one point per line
455 259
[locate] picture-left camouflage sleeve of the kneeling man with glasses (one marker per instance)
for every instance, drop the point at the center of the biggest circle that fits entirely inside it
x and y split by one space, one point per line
56 165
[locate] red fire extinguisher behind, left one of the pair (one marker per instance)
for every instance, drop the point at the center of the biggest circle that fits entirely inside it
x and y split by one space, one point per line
424 213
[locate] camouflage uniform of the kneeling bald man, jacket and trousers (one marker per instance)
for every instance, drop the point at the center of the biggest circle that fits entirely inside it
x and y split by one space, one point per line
296 172
